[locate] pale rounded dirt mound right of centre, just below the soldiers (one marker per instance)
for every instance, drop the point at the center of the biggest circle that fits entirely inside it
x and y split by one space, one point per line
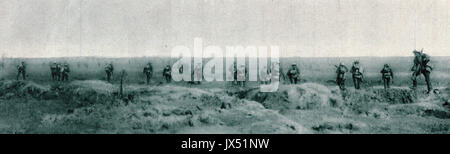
304 96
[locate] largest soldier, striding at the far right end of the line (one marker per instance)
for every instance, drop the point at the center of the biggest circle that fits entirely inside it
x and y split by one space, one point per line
421 66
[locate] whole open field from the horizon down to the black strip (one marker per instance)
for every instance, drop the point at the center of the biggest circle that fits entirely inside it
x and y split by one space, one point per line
87 104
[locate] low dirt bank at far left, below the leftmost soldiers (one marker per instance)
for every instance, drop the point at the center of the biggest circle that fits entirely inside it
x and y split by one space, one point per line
79 92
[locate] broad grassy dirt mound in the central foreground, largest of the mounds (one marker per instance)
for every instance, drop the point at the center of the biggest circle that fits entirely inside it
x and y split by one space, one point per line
173 109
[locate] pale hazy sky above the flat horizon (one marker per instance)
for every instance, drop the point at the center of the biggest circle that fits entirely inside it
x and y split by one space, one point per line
318 28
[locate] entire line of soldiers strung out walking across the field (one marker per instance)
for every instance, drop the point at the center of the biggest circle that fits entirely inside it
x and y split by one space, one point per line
60 72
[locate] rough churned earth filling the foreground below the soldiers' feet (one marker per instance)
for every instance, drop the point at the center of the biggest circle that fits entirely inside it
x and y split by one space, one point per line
94 106
